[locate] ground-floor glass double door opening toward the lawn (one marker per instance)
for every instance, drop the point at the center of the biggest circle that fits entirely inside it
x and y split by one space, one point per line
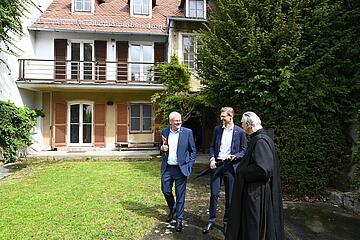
80 124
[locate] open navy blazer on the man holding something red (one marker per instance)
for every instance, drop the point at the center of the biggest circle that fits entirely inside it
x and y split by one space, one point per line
186 150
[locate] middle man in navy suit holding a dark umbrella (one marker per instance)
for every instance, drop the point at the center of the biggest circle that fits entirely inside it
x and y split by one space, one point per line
227 148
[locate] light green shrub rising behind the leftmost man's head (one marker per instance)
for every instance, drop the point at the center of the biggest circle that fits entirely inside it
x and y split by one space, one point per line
177 95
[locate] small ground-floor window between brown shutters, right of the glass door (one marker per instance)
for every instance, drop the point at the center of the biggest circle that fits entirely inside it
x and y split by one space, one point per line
140 117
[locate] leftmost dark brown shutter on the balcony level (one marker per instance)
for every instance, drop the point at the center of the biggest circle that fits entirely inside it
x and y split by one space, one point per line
60 49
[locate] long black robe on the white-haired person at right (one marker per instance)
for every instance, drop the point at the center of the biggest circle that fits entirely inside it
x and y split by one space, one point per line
256 205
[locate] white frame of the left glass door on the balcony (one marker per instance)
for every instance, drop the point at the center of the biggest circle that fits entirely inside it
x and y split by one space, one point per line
81 70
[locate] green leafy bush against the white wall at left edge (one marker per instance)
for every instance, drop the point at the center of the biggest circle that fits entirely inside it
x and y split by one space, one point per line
16 126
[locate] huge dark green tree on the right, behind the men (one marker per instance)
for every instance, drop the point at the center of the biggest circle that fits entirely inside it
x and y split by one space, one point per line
287 60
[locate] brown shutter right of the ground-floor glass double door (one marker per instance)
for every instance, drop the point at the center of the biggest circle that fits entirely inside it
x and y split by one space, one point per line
99 124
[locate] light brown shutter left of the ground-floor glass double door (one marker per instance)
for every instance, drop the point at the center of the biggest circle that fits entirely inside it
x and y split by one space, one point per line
60 118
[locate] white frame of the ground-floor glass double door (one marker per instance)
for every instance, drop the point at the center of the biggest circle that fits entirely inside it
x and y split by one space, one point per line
68 124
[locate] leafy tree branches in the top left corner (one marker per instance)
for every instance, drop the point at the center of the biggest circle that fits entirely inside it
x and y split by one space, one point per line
11 12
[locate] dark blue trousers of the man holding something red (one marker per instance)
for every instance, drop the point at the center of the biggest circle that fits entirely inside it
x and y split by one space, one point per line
173 174
